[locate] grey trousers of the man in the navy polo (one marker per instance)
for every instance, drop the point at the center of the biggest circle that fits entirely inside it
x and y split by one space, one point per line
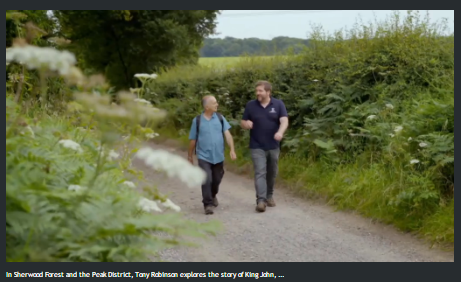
265 165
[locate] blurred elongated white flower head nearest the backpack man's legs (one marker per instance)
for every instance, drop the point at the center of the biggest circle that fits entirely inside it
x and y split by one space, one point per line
173 165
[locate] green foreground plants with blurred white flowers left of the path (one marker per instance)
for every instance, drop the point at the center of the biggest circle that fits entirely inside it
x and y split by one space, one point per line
71 191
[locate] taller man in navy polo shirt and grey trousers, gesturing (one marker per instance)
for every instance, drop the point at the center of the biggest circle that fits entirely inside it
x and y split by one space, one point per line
267 120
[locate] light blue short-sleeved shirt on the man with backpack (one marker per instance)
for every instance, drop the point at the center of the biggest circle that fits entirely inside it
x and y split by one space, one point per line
210 146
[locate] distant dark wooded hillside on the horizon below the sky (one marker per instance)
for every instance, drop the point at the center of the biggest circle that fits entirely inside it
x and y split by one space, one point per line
232 47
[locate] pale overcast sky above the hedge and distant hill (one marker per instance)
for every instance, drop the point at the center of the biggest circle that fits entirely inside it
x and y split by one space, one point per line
267 24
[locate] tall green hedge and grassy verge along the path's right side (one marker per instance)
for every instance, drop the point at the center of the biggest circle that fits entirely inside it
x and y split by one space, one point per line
371 117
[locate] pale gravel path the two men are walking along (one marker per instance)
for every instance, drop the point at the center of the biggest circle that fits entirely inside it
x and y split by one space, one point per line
294 231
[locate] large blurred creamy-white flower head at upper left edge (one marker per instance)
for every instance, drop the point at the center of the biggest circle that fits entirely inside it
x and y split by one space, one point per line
42 57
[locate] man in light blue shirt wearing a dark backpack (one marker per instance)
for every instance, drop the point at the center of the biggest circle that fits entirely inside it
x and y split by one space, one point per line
206 139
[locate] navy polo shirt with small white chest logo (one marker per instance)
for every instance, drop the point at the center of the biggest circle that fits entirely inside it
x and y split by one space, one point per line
266 122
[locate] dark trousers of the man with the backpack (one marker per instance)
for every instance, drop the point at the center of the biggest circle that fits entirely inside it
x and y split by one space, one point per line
210 188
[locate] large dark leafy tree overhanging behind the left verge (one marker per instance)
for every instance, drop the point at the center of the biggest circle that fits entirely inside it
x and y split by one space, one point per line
121 43
